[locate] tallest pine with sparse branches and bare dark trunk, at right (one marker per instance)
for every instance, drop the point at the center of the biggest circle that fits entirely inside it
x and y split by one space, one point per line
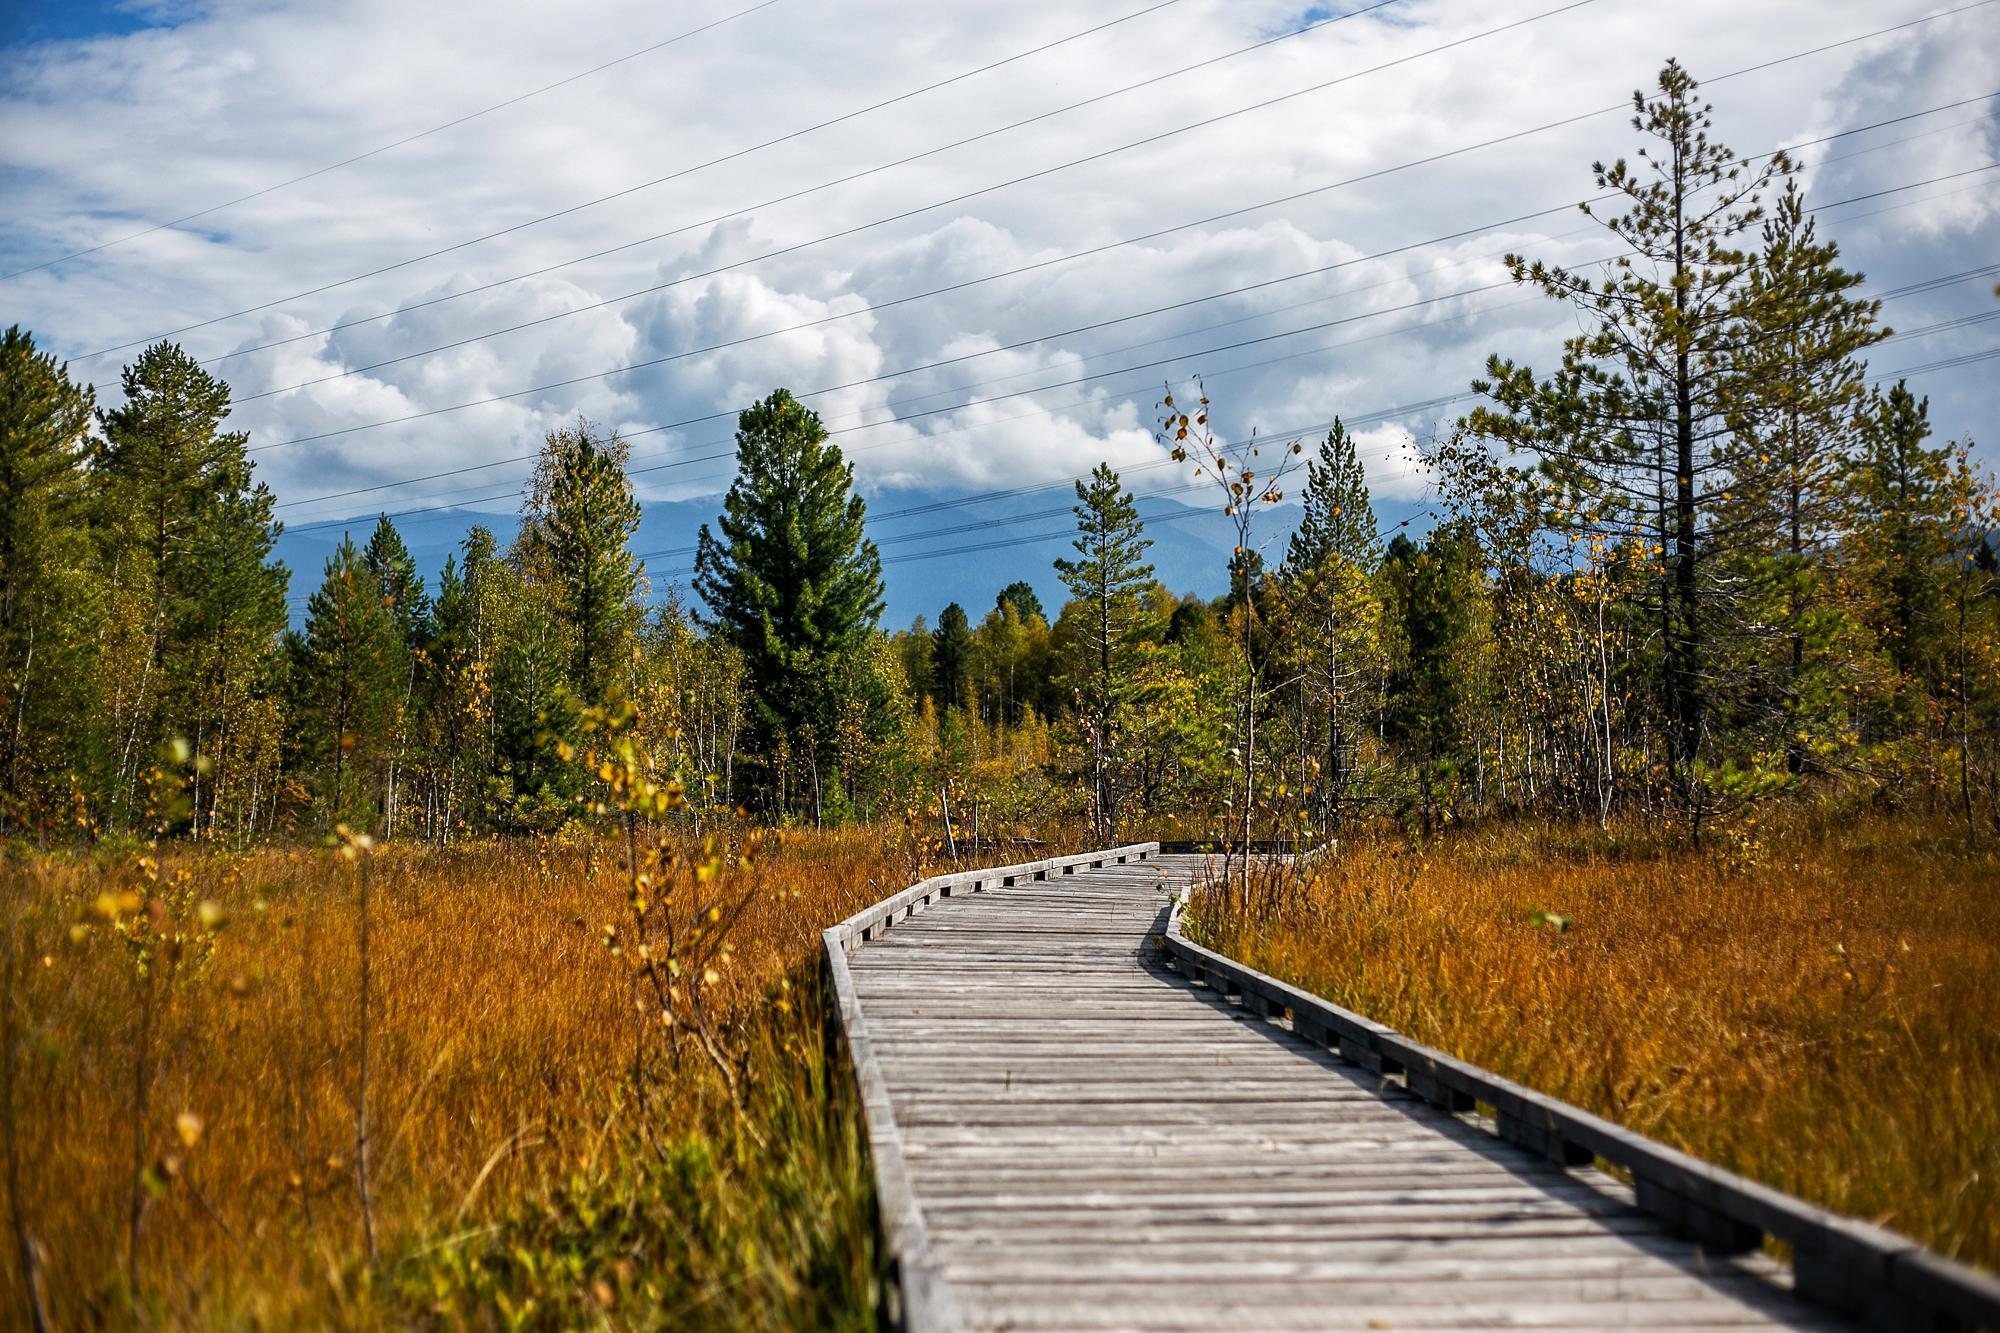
1635 423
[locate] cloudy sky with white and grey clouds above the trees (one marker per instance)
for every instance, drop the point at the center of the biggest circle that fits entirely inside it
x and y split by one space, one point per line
1305 205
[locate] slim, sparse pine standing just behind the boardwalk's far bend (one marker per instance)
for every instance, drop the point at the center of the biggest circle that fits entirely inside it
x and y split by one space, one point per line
1107 581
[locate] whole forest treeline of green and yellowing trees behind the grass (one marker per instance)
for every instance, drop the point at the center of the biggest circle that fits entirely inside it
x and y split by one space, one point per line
1697 563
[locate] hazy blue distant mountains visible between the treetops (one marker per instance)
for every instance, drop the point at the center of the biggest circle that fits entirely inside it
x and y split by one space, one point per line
937 547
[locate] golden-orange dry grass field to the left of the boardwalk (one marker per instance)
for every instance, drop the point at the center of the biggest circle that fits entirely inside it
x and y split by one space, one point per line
501 1096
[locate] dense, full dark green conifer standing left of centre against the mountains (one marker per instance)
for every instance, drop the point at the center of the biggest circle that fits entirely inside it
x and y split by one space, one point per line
793 583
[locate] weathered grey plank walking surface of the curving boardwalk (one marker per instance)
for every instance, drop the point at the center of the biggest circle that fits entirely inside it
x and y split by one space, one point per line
1095 1144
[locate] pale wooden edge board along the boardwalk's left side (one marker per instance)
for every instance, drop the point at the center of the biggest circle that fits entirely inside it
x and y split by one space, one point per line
917 1296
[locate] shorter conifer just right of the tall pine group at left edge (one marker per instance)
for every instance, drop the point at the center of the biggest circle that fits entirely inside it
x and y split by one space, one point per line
345 688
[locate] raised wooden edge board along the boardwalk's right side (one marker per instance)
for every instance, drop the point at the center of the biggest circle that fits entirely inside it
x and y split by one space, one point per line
1837 1262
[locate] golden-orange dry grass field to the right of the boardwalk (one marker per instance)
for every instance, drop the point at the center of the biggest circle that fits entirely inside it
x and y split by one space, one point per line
1821 1018
